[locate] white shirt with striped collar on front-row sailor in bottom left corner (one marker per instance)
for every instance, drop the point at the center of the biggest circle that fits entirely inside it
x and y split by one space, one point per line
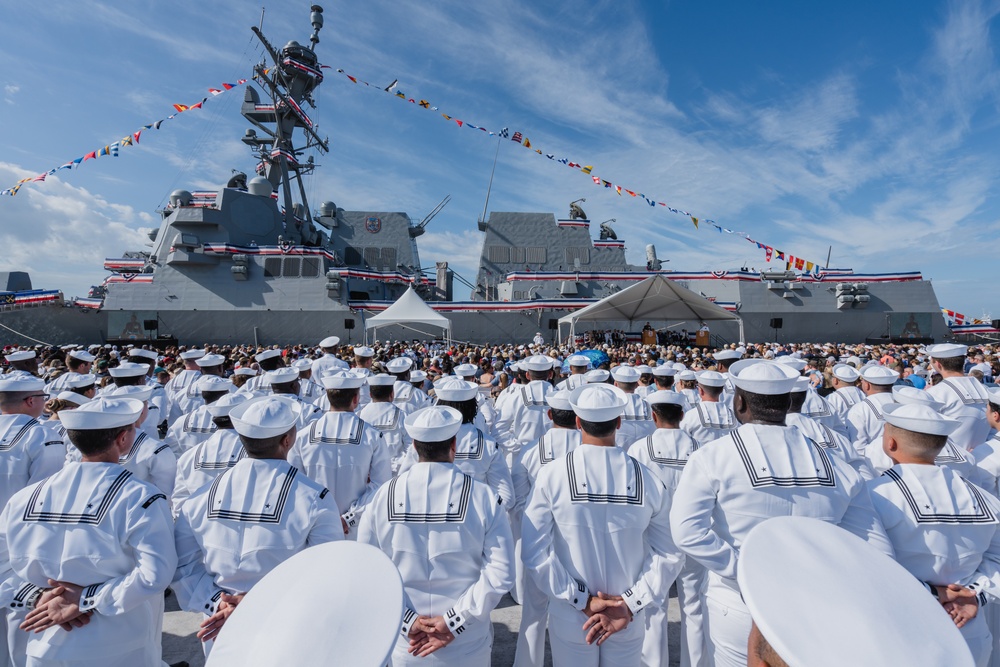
96 525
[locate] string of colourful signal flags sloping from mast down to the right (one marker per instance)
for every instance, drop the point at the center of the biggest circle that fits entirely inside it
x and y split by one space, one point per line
770 252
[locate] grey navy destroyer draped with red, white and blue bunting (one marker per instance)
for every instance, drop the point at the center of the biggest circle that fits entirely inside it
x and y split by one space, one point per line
253 263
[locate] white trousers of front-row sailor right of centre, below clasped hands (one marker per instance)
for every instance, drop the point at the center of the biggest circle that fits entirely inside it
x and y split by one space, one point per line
570 648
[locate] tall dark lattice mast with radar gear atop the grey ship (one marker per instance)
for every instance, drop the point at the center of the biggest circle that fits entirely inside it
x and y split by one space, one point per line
290 82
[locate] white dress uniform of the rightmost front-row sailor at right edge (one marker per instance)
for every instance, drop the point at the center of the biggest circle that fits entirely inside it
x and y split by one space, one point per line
944 530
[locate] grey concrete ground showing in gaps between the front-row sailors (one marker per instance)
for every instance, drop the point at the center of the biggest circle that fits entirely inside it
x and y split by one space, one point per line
180 643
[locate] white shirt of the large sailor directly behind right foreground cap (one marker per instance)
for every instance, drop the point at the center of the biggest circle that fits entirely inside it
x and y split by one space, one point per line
753 474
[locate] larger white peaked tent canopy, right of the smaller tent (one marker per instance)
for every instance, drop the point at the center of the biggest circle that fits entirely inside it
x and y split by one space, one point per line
655 298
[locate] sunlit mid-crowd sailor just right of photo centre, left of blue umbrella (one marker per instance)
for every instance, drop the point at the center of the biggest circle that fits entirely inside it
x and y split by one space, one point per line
523 418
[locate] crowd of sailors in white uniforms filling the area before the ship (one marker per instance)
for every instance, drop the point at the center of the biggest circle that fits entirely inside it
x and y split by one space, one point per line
586 485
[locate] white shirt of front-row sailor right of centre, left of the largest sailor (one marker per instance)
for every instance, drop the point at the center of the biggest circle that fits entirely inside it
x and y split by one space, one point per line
566 543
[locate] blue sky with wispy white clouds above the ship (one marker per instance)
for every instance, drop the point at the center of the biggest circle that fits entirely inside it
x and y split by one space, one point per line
866 130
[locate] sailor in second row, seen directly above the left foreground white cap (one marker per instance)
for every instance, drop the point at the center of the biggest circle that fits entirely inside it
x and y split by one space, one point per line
342 452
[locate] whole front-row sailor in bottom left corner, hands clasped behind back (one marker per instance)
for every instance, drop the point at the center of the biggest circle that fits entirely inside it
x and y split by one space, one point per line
91 547
